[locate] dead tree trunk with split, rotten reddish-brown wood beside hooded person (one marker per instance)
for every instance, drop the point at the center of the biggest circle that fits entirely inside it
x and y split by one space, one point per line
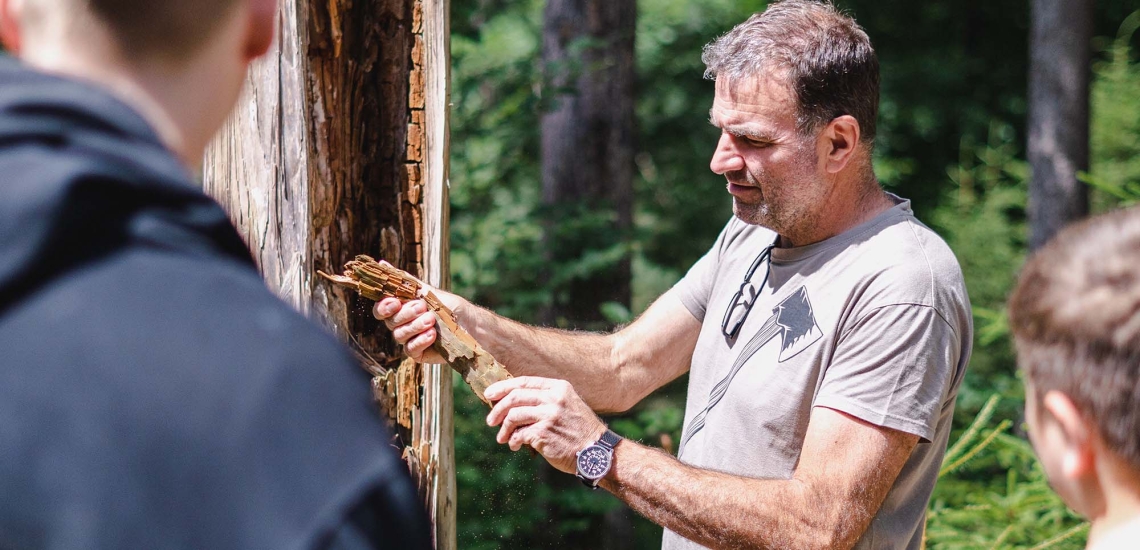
339 148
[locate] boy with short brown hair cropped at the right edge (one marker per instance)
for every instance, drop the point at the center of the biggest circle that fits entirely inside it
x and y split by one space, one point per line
1076 316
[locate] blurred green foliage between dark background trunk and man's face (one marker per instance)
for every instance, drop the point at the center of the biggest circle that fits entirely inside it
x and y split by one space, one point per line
681 205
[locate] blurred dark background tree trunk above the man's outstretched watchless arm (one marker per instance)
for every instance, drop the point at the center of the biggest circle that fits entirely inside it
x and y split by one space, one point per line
589 152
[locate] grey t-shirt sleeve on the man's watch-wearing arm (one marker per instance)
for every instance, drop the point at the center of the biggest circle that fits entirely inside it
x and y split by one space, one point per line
893 368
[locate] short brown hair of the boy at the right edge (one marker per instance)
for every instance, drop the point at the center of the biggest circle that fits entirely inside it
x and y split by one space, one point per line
1076 316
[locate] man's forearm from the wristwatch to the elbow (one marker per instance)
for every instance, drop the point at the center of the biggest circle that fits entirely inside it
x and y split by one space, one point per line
720 511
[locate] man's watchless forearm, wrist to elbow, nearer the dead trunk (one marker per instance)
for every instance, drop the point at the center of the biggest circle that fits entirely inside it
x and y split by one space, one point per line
583 359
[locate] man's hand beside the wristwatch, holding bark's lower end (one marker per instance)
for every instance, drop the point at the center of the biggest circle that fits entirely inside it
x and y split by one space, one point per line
545 415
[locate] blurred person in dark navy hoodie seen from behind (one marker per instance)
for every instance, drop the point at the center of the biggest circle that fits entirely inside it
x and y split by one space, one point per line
153 393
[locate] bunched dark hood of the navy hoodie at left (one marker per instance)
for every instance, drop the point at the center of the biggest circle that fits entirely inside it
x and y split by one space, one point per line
84 176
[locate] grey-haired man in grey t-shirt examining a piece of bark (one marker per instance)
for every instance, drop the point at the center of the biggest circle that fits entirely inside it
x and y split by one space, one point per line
826 334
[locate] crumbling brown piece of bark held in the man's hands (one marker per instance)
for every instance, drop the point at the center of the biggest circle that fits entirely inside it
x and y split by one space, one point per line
378 280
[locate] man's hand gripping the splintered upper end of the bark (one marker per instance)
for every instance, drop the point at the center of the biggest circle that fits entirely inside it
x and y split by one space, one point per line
413 325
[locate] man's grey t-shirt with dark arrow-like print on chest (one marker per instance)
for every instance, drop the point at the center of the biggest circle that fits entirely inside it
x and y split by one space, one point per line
875 323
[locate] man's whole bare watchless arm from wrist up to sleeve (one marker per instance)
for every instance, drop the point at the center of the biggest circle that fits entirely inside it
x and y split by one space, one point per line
612 373
